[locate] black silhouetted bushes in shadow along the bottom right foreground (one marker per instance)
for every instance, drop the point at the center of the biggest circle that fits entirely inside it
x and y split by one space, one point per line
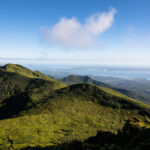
132 136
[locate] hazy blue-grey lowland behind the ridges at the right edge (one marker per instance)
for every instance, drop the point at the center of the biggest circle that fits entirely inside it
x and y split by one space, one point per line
139 86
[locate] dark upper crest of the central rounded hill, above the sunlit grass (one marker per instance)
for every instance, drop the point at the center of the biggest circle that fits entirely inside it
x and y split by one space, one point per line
88 92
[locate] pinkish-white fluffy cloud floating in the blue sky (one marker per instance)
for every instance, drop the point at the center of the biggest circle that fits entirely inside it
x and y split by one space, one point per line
71 32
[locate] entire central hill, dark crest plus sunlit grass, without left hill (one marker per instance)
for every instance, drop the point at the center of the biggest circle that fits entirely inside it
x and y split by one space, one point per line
68 116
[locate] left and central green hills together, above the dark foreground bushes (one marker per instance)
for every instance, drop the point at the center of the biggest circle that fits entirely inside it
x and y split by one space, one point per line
36 110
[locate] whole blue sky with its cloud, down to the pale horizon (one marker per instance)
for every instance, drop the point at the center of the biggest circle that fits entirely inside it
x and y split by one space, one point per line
97 32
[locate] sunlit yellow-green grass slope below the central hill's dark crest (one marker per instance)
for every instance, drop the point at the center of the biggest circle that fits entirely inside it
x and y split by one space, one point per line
64 124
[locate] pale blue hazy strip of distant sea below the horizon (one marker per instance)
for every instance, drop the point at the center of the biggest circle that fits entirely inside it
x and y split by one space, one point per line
60 71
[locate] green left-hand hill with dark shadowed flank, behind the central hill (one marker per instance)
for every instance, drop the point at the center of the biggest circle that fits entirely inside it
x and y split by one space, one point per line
19 90
